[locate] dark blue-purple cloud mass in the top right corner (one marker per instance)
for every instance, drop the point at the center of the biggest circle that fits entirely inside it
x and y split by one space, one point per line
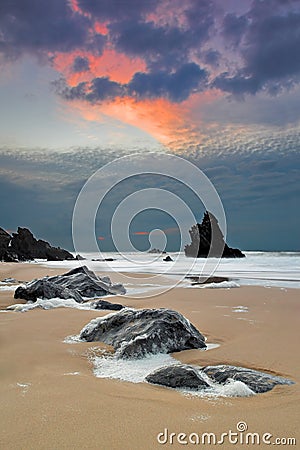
269 40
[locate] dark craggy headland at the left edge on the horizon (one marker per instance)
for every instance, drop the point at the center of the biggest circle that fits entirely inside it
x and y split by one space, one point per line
23 246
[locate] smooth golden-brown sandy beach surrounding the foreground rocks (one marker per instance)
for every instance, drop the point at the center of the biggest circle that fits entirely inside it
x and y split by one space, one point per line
50 398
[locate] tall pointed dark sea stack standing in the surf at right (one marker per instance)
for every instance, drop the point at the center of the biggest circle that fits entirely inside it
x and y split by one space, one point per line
203 245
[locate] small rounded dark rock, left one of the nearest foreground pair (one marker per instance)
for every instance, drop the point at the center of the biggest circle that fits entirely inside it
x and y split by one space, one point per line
178 376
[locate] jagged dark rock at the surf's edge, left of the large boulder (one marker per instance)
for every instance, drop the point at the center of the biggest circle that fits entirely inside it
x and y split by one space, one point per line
79 283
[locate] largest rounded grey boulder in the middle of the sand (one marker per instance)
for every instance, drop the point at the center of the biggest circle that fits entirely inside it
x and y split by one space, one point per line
137 333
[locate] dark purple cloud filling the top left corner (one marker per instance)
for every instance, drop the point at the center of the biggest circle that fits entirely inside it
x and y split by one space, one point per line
40 26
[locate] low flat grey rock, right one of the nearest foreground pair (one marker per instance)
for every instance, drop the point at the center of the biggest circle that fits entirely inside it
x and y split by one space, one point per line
257 381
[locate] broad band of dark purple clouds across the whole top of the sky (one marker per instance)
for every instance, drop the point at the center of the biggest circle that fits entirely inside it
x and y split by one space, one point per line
253 51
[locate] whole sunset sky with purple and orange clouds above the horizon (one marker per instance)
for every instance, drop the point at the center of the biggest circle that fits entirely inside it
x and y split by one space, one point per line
216 82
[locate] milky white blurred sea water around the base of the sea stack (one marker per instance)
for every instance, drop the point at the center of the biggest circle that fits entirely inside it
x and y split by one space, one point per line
268 269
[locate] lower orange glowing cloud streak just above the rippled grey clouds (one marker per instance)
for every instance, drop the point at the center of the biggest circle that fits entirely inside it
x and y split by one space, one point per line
172 124
